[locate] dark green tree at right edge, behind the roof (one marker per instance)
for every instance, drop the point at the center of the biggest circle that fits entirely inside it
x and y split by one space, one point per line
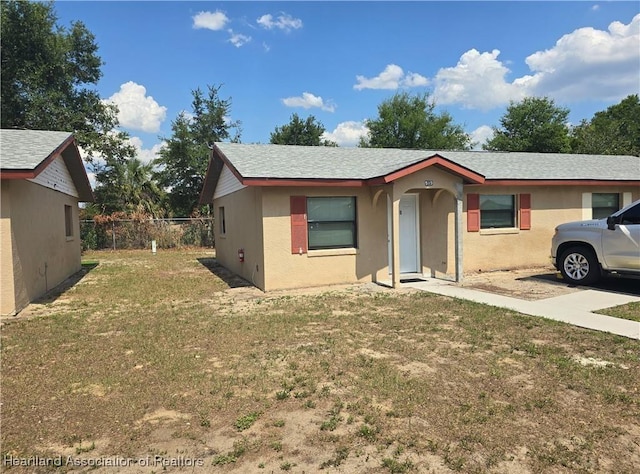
614 131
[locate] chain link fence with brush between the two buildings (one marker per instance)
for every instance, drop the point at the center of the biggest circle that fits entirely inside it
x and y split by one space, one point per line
120 234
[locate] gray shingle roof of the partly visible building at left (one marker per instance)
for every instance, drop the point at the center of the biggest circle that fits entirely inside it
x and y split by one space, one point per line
26 149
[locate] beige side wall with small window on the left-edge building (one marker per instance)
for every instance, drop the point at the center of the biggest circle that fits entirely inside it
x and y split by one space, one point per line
36 254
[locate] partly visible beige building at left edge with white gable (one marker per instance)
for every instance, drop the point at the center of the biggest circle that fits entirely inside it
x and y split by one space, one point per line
42 180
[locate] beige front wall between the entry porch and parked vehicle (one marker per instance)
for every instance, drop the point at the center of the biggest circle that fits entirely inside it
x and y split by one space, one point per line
508 249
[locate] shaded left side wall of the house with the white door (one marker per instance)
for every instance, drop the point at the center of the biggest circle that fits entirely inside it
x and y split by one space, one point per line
243 218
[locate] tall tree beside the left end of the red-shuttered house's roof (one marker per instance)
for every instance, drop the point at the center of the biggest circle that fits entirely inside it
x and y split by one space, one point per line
185 155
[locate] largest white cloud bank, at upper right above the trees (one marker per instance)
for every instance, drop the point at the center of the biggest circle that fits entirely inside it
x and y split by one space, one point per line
584 64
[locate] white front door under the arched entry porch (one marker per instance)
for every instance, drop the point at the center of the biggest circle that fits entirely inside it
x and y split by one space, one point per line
409 238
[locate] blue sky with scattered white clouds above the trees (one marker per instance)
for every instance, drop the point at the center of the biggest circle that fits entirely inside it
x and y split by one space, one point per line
339 60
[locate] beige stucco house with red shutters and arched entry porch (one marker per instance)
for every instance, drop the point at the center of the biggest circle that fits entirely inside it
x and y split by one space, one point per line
293 216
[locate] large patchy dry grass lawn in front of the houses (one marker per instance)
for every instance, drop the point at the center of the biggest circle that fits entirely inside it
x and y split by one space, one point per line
162 360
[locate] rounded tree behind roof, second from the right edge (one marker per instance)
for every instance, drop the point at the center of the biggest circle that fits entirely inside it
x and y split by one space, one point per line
535 124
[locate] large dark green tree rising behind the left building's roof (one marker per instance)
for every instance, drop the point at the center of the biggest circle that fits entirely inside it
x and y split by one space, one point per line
46 73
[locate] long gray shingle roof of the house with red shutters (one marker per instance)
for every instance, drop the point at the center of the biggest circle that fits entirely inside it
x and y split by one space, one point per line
308 162
